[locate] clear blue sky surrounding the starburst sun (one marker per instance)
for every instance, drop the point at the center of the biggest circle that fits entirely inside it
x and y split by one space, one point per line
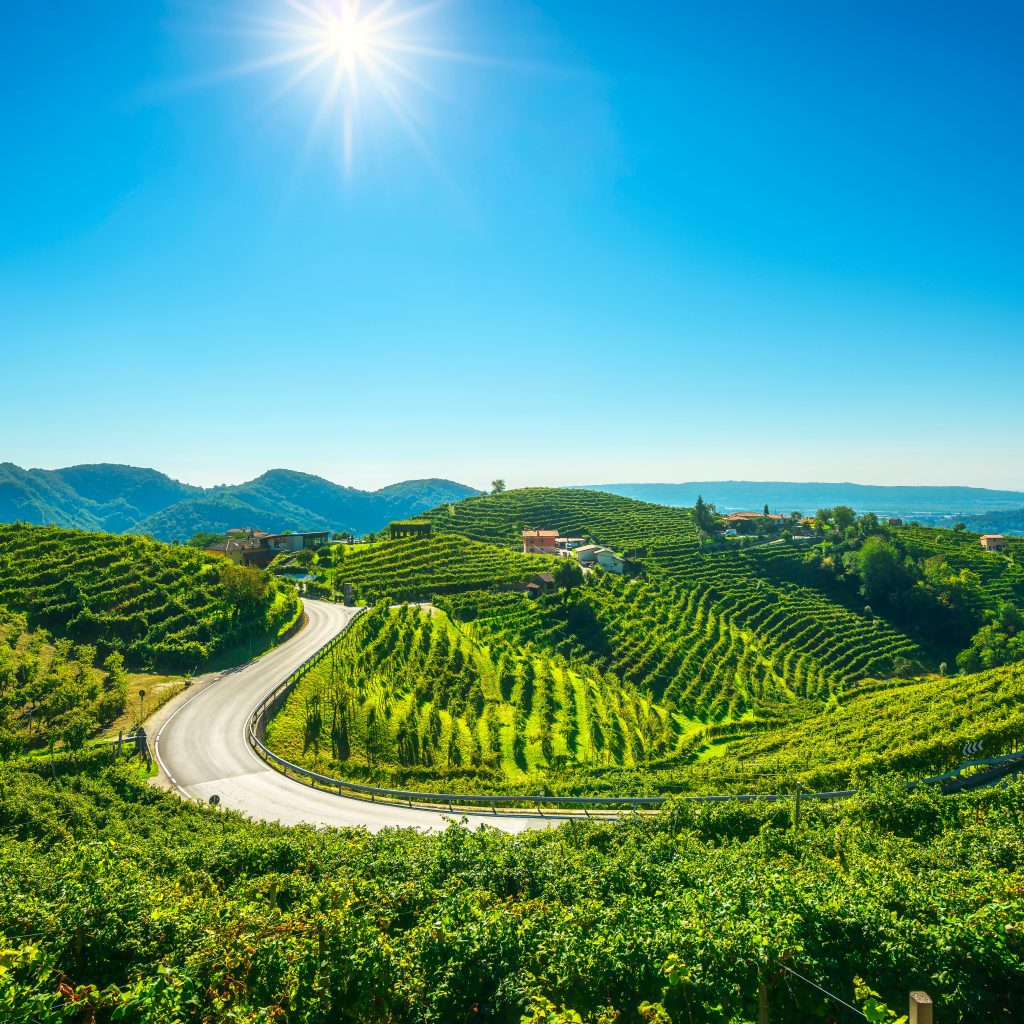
660 242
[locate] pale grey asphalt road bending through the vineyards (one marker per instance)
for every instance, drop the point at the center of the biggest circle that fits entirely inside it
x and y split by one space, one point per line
202 749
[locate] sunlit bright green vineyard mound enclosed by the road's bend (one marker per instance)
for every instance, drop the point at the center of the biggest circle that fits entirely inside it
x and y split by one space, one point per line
408 701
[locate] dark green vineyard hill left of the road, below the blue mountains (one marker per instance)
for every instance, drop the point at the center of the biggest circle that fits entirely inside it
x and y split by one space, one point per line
154 604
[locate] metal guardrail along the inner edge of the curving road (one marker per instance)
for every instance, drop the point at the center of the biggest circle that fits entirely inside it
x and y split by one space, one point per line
270 705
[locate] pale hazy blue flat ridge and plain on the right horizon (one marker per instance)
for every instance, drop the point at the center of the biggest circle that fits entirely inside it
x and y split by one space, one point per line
941 505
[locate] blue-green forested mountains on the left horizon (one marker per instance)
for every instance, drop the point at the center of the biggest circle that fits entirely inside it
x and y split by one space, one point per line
124 499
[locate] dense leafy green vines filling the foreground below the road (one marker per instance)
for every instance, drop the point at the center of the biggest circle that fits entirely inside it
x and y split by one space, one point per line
118 903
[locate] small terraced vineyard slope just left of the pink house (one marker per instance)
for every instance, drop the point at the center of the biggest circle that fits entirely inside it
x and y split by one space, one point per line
418 569
